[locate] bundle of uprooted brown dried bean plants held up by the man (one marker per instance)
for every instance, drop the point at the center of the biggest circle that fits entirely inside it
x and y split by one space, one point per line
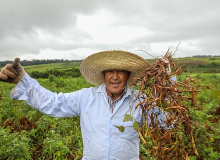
174 136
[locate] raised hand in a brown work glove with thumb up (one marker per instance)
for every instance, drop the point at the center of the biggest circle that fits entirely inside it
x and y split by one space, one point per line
12 73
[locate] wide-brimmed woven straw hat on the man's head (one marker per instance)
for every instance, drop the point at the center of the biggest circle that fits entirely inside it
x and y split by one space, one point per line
91 68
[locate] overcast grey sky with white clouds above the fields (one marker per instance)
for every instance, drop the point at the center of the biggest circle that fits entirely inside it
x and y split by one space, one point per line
74 29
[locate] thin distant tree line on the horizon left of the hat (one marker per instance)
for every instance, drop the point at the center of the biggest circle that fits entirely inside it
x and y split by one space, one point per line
37 62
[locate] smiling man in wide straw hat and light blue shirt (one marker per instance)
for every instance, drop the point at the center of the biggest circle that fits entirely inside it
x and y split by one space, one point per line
100 108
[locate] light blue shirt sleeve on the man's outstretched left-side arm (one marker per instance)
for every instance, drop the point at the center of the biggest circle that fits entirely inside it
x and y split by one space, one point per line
50 103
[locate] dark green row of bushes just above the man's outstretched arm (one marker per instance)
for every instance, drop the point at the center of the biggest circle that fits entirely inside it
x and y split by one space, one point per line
73 72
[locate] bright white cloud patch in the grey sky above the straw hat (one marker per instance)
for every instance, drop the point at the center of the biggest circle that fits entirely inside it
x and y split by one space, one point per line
101 27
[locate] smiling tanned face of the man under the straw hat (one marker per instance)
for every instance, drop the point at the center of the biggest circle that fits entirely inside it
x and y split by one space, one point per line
115 81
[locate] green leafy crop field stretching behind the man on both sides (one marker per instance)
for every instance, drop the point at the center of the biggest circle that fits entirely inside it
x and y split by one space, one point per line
26 133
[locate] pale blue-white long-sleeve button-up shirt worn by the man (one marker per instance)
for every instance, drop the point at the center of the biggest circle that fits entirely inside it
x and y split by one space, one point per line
101 139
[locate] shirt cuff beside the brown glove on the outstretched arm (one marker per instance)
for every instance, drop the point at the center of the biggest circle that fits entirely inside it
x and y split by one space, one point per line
21 87
